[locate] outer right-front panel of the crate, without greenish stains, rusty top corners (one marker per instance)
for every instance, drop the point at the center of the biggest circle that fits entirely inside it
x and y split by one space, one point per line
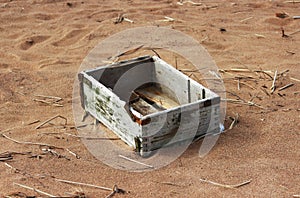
184 123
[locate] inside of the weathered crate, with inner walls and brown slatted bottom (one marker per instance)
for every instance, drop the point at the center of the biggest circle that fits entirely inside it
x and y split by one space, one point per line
149 85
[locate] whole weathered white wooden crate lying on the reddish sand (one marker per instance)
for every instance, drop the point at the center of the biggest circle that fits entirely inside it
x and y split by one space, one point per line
155 114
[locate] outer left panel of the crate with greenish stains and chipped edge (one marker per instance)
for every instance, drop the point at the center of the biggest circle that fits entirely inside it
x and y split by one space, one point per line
106 107
